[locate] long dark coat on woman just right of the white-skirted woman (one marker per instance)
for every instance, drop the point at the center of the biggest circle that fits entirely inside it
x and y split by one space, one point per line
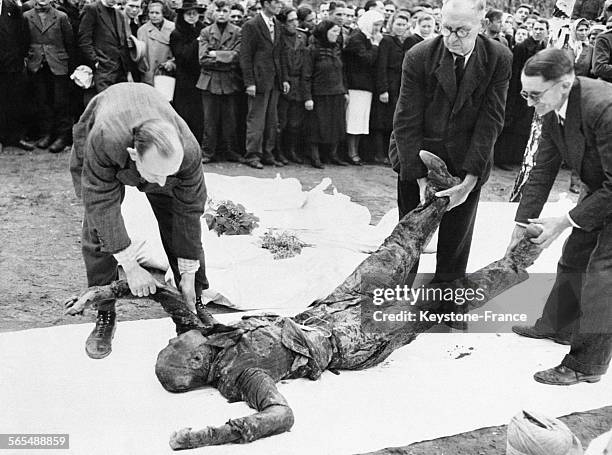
388 79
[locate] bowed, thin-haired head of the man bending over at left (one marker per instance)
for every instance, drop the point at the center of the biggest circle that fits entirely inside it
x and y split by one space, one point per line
157 152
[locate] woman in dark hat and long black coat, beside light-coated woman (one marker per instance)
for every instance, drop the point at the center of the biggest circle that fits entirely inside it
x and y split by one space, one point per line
184 46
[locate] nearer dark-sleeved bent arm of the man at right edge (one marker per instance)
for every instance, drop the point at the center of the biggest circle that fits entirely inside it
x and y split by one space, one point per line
591 212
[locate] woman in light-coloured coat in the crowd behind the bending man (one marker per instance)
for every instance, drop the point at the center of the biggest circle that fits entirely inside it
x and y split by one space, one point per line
156 36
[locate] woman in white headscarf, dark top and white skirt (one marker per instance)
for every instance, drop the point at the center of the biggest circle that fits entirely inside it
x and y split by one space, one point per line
360 55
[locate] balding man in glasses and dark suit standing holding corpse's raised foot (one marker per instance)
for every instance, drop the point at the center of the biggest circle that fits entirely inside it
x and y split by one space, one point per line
452 104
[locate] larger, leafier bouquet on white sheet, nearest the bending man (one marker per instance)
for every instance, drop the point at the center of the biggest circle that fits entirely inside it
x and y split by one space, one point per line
229 218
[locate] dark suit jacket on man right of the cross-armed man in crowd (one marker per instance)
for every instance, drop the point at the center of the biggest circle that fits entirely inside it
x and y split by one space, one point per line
262 61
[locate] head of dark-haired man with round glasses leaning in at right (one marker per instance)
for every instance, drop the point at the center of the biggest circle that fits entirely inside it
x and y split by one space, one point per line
547 80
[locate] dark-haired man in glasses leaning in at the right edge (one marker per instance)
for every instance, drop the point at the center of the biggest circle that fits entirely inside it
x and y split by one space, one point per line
577 129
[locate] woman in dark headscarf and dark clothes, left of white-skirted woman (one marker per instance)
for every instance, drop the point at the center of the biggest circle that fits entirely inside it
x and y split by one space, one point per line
324 92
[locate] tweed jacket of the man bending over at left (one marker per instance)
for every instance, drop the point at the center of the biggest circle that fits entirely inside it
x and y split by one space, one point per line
101 167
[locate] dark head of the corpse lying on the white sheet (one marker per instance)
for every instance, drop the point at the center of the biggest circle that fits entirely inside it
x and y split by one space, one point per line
185 363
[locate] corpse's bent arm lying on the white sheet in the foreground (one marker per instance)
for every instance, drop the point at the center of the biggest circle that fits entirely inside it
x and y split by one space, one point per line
274 416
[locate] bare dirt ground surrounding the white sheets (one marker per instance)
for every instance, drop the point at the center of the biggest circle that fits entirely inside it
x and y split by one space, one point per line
41 265
